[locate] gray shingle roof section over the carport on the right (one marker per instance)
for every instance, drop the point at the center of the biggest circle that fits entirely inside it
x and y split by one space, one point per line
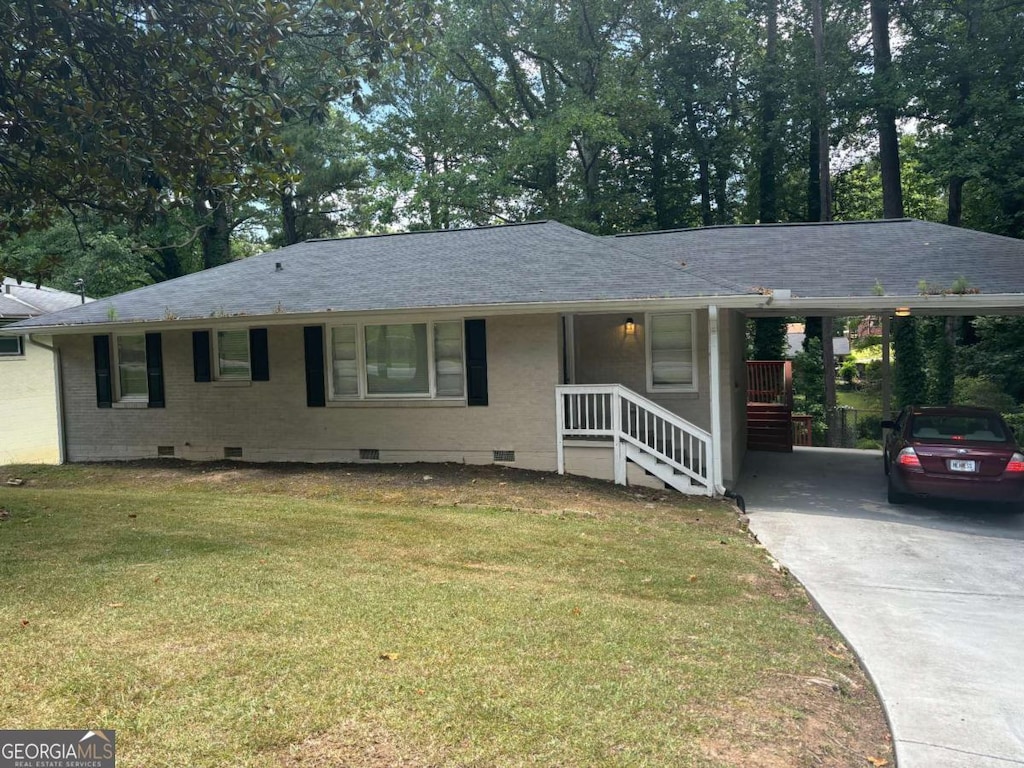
843 260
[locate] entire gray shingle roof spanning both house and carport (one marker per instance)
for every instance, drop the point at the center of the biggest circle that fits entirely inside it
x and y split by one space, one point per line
548 264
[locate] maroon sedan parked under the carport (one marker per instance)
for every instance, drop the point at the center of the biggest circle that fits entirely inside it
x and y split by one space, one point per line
953 453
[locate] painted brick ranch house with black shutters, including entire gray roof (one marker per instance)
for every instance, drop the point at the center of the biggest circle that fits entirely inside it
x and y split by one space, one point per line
535 346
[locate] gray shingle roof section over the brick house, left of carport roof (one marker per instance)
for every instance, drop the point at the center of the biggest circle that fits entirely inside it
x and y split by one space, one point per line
544 263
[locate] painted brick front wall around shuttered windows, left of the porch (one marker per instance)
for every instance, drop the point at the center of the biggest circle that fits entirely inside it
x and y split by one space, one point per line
271 420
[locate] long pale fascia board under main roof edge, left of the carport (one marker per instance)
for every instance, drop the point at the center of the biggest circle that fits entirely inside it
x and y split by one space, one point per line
749 303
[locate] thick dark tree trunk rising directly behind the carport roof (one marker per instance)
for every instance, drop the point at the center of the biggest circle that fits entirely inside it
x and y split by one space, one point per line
892 189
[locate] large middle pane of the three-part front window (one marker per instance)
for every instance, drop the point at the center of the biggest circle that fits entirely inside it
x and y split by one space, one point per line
397 360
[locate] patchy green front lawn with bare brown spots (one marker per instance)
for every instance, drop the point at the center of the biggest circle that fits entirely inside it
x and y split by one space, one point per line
262 618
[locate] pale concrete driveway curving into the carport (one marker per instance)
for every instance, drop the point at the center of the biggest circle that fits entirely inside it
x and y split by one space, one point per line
930 595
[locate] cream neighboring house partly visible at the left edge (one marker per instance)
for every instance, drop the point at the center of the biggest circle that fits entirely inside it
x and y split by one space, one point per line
29 420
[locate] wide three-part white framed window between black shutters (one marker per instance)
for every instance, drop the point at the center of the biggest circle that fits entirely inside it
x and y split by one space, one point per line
382 361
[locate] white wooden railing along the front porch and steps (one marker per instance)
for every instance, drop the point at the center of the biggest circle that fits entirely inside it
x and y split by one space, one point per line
664 444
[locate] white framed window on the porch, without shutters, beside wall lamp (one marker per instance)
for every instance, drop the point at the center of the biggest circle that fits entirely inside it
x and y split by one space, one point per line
671 360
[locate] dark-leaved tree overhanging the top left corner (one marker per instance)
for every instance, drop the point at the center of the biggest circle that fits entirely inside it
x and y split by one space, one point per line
137 110
